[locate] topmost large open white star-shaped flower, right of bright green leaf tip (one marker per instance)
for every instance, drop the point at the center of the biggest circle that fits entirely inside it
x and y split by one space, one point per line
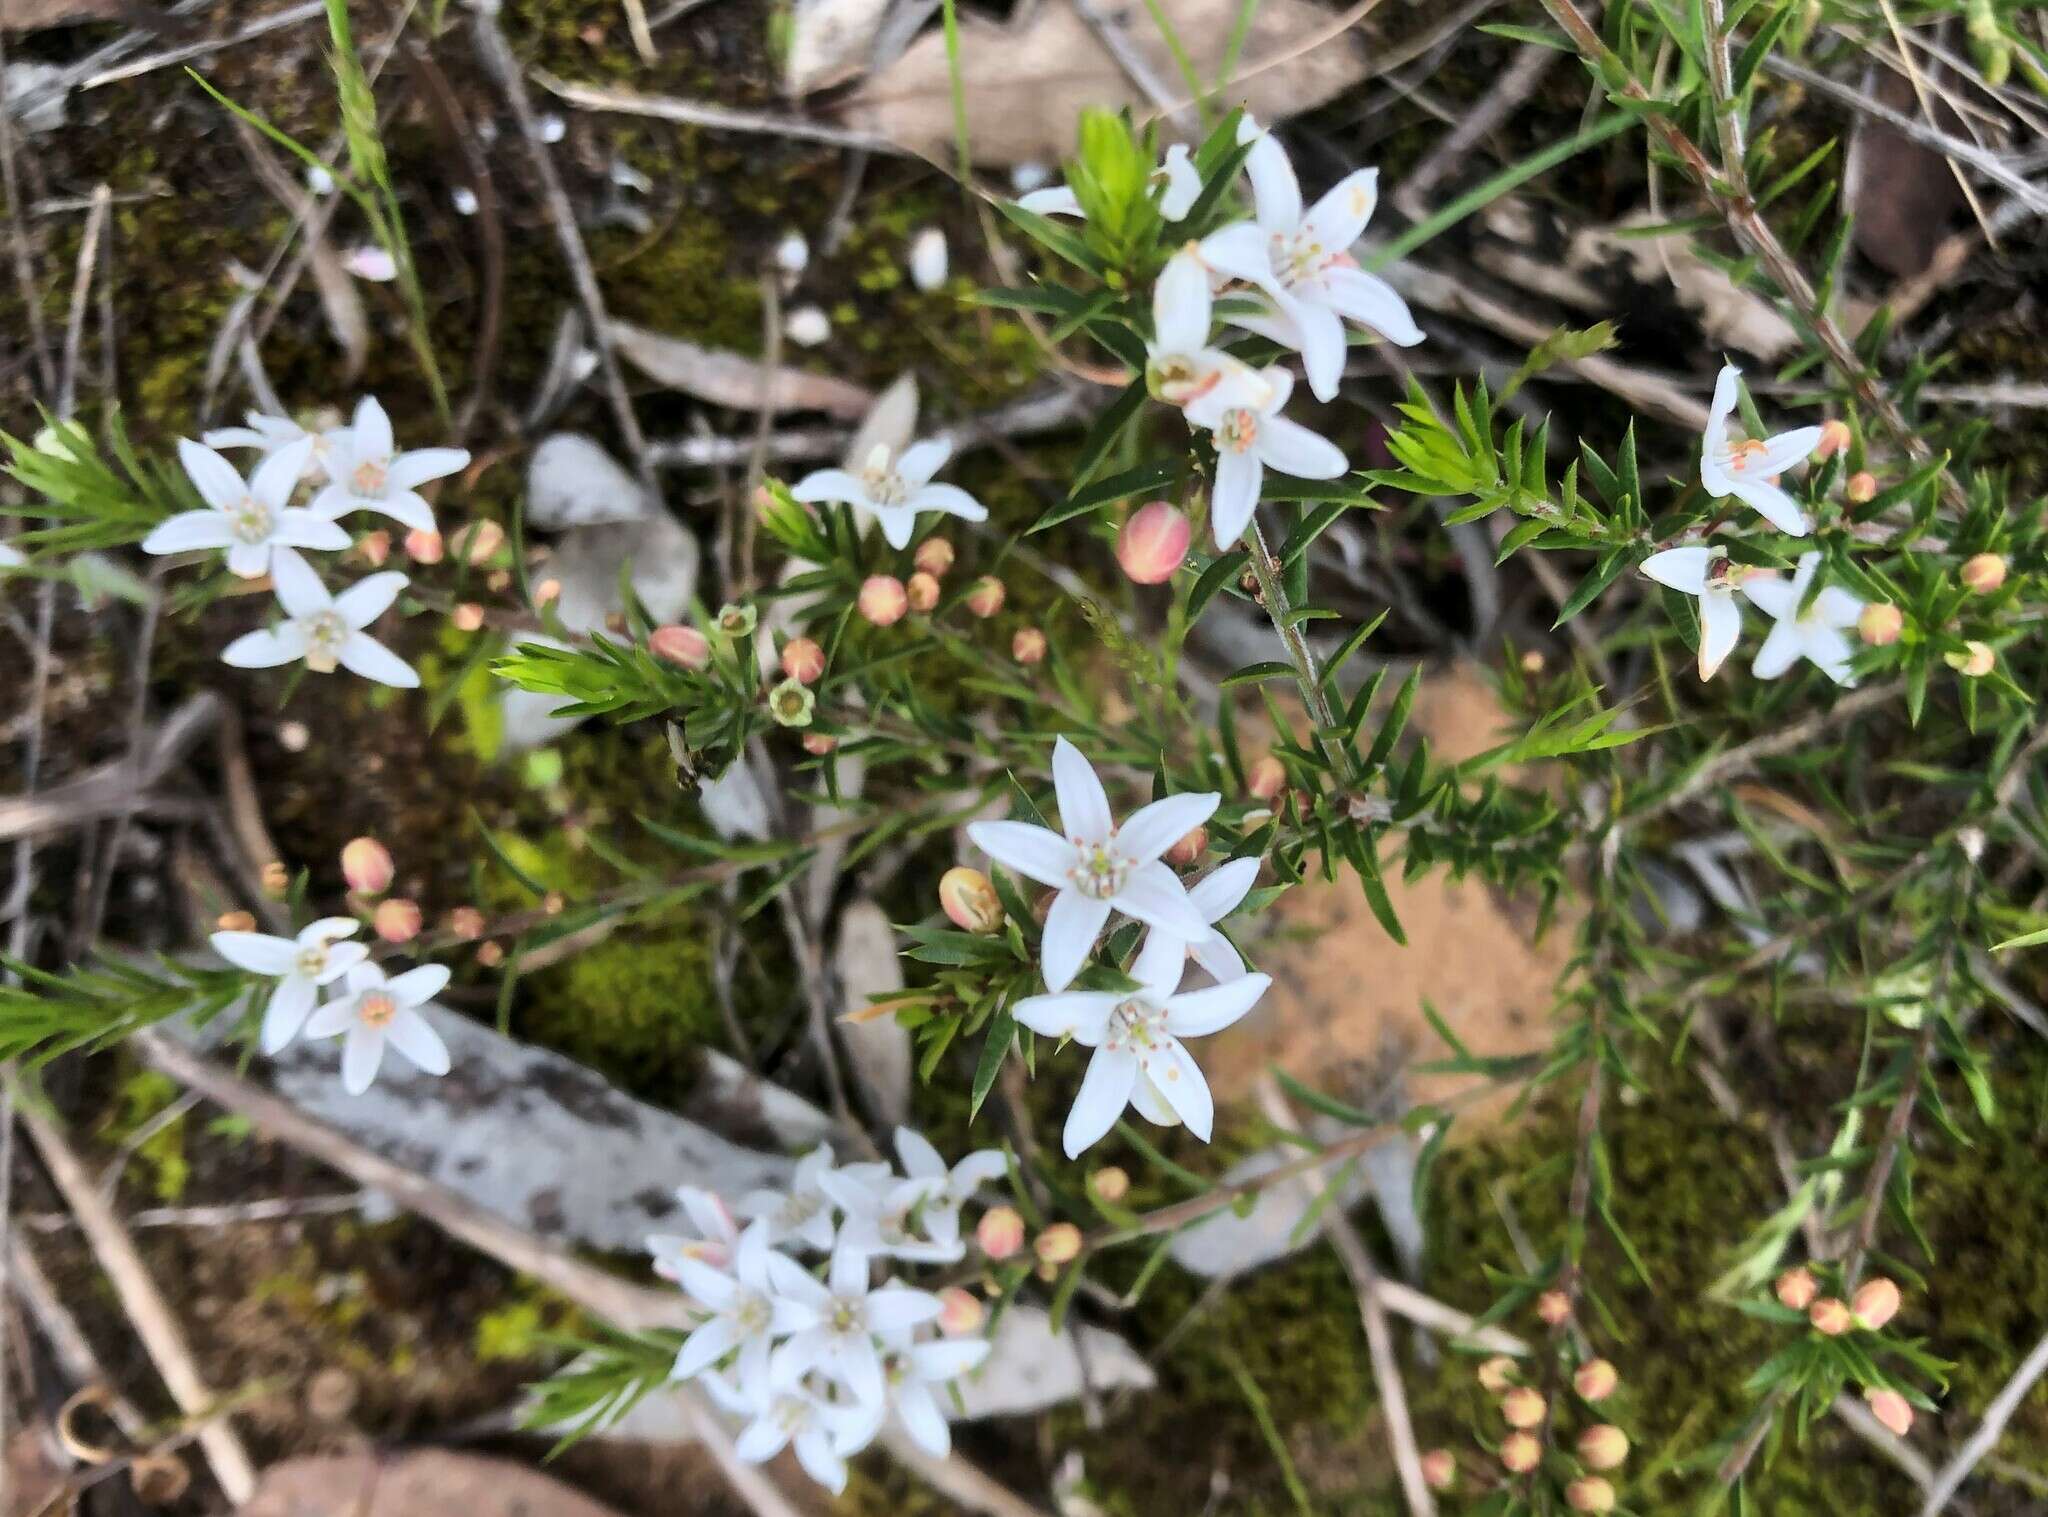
1302 261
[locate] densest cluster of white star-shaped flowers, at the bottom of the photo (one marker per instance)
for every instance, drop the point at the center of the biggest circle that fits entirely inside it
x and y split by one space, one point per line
824 1360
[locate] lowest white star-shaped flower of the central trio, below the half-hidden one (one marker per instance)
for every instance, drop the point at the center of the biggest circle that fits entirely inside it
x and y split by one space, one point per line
1138 1037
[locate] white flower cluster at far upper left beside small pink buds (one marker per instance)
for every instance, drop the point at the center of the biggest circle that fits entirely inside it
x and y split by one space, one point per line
255 523
